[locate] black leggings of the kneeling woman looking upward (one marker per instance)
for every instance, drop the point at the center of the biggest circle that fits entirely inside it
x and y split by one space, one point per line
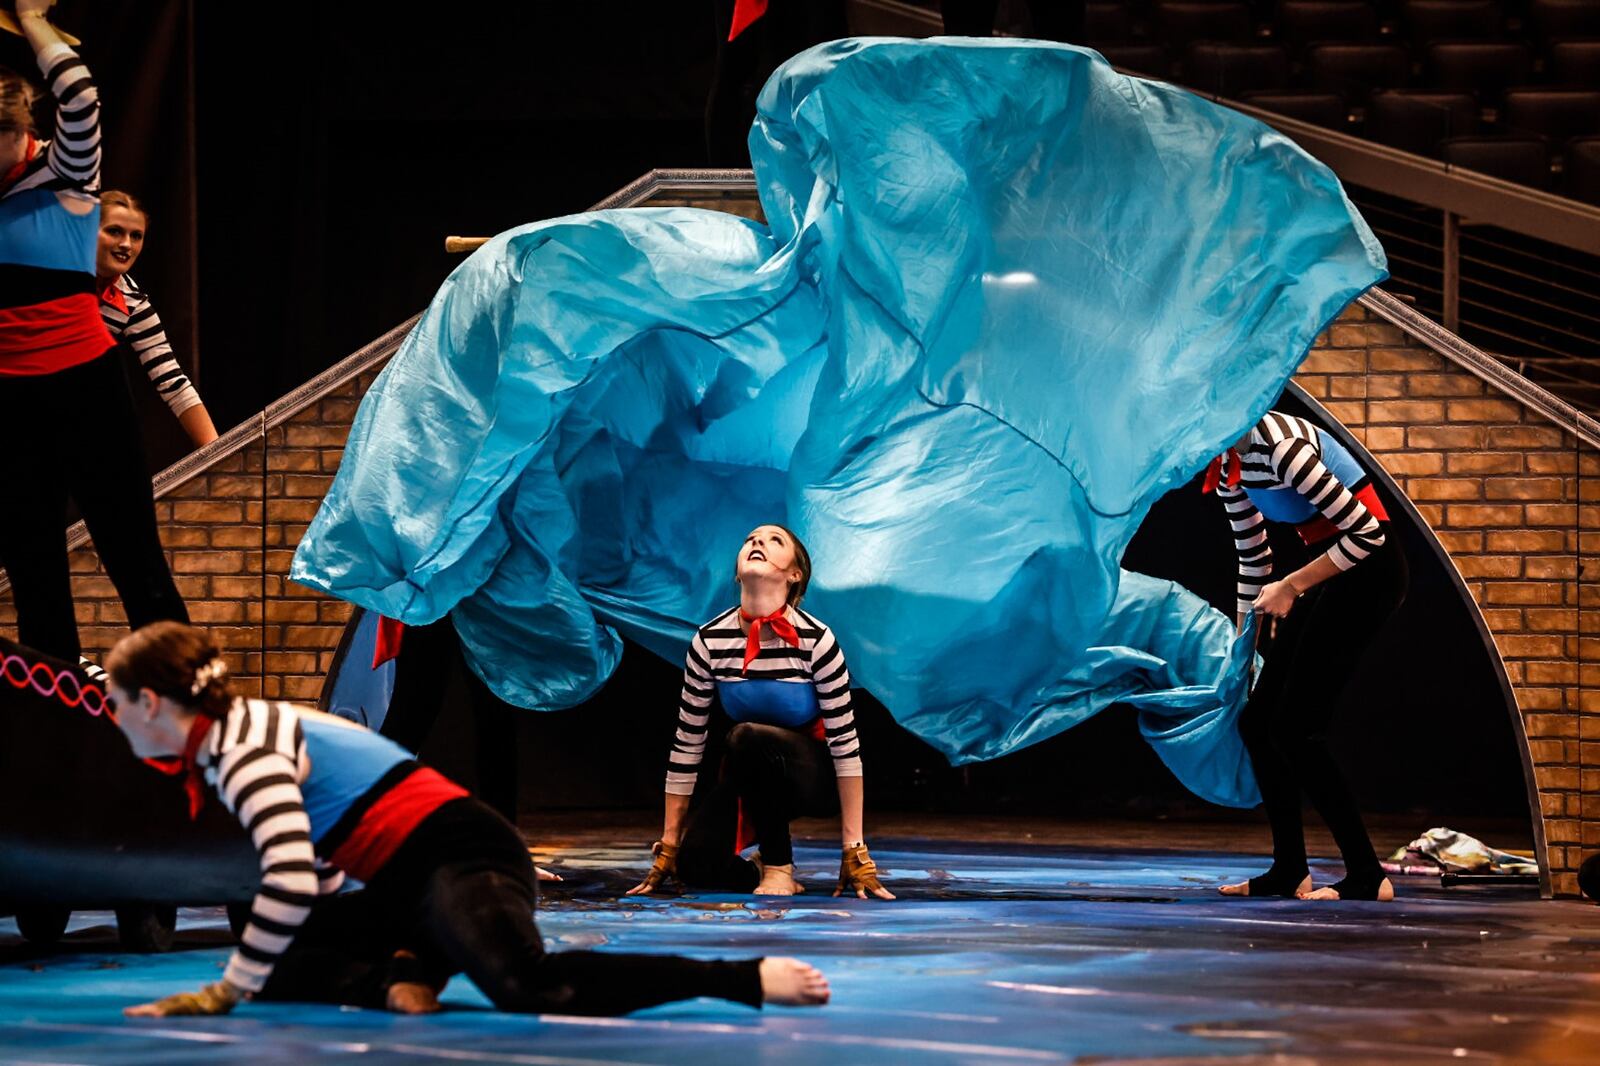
780 775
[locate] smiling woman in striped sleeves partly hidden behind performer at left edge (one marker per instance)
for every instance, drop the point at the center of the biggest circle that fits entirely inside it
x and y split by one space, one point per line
130 316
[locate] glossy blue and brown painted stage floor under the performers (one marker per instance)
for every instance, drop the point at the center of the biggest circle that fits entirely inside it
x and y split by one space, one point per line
996 955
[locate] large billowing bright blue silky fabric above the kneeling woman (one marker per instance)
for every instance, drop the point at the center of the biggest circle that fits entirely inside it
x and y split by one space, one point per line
1006 299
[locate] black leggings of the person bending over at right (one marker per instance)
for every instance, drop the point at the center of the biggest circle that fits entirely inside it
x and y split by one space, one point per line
1286 724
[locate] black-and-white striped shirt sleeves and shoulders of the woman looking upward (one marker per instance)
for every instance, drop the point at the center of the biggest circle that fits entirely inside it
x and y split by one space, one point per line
718 659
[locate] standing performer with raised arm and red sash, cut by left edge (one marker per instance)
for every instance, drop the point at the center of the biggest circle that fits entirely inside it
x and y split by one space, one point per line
66 419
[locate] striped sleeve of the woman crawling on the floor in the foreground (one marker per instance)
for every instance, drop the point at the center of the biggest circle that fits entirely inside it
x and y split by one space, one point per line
257 763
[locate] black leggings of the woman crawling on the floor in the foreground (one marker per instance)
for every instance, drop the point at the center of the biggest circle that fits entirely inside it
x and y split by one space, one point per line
460 897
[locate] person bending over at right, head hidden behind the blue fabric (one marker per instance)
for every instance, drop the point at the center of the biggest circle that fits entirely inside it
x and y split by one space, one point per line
1322 617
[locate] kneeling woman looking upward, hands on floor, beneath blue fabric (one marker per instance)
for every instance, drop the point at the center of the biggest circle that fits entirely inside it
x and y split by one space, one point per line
793 751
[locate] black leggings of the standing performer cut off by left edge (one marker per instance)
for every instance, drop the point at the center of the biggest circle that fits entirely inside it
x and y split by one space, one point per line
74 435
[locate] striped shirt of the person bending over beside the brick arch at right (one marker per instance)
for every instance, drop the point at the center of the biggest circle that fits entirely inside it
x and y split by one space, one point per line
1286 454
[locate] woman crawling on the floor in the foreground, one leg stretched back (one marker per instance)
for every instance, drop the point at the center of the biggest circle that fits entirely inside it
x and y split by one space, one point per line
449 888
